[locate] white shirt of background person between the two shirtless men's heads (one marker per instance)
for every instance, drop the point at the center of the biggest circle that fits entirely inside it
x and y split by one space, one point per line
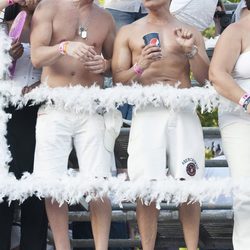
125 5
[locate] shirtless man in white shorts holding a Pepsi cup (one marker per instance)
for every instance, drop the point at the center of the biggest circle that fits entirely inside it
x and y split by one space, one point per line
182 51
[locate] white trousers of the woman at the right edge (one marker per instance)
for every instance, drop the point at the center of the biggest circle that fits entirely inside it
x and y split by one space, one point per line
235 140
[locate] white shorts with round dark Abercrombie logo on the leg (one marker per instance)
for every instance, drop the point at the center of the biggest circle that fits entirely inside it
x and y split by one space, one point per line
161 138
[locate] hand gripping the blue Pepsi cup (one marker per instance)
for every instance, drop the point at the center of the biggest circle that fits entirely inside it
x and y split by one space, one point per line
150 53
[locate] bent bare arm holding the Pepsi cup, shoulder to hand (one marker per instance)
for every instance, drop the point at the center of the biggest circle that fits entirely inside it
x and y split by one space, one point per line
122 68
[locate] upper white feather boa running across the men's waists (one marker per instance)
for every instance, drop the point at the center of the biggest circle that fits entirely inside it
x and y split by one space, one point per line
91 99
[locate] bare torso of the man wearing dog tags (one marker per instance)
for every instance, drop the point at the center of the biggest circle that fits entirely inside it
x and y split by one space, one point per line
65 24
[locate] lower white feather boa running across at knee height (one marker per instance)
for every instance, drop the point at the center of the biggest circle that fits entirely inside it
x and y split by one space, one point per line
73 187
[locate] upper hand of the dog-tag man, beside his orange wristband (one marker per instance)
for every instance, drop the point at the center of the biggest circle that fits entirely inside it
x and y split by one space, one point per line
80 51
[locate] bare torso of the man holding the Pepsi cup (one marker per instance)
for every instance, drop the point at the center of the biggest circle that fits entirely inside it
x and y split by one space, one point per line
174 66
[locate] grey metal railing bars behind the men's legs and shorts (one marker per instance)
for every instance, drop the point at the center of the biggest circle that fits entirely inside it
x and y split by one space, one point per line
216 219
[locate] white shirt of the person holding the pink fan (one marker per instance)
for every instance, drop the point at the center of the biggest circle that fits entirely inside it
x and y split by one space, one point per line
25 74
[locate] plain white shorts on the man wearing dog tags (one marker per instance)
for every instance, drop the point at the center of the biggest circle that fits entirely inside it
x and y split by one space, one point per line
56 133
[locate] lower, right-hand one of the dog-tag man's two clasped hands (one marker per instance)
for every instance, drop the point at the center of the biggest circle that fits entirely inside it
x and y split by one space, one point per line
97 65
